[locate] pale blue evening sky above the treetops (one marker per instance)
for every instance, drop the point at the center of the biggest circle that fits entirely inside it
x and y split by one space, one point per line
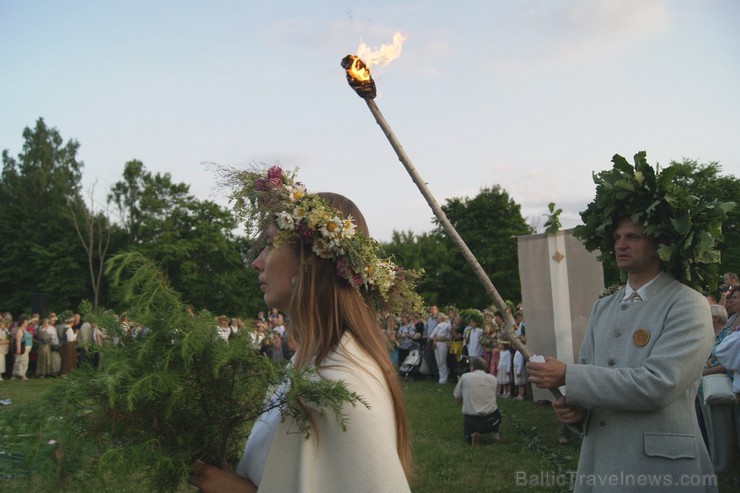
532 95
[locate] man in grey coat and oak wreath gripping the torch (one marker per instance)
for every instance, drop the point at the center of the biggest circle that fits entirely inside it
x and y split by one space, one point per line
632 391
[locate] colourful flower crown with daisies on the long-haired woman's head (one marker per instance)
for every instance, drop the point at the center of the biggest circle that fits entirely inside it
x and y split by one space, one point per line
274 195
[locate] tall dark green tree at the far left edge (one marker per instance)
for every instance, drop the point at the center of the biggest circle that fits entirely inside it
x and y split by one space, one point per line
41 253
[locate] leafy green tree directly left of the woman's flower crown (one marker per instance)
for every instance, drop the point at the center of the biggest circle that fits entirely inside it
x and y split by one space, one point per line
192 241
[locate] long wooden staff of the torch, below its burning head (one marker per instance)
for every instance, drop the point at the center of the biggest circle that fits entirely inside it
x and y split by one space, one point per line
510 323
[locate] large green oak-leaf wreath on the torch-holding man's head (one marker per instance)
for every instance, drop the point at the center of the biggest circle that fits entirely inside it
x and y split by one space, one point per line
686 227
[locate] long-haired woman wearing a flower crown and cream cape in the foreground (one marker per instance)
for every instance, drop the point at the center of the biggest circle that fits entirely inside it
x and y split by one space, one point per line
322 269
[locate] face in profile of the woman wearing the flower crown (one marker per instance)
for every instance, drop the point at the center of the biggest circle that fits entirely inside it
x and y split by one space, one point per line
277 268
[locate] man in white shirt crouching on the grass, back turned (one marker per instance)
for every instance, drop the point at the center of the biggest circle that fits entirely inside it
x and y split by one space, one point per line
477 393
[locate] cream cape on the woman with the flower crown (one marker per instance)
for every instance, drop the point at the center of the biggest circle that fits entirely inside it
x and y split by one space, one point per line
362 458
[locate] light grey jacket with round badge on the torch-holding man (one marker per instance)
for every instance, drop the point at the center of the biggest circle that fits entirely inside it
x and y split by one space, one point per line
640 367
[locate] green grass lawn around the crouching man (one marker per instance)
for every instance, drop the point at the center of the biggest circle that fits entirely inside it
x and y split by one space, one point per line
528 448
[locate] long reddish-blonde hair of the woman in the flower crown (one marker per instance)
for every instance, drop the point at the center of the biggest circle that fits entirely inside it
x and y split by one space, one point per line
323 307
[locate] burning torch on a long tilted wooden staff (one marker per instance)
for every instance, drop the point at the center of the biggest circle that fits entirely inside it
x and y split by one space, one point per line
360 79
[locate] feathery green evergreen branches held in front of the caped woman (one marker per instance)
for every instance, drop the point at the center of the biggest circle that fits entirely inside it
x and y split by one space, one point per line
160 402
